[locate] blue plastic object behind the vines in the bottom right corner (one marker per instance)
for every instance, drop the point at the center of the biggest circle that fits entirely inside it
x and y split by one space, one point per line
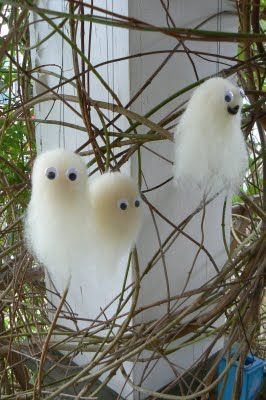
252 378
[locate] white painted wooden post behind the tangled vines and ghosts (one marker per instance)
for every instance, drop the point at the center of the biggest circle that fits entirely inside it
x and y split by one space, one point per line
125 78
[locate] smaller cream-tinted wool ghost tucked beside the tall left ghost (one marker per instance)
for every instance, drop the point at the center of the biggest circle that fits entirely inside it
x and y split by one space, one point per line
115 210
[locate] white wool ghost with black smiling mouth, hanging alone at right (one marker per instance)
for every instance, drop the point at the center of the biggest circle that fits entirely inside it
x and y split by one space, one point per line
210 150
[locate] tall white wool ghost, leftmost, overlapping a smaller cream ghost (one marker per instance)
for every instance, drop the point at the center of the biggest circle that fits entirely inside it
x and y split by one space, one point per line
55 227
